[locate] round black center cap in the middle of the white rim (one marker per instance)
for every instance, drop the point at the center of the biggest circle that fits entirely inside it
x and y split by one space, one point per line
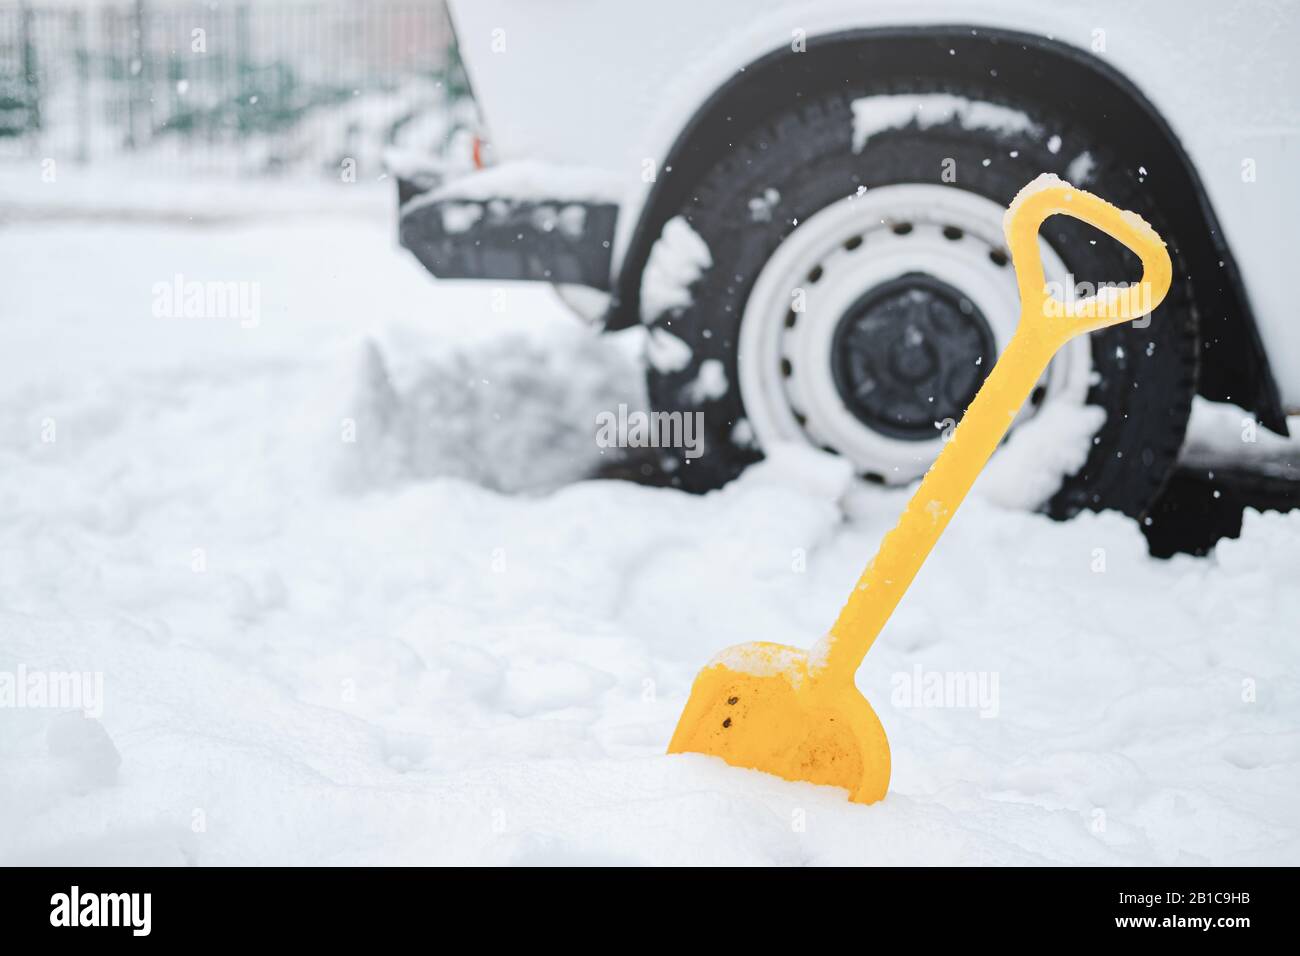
912 352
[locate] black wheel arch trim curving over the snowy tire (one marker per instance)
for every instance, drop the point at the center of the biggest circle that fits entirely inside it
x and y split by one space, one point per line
1007 66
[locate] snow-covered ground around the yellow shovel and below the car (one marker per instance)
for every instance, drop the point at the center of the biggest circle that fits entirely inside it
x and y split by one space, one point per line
352 600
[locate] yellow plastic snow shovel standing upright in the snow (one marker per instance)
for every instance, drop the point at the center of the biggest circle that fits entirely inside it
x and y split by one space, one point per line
799 713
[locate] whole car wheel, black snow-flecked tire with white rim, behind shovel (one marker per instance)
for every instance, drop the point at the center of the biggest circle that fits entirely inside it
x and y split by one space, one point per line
783 176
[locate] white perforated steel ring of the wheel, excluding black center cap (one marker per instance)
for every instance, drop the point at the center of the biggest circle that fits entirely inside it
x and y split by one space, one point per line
786 370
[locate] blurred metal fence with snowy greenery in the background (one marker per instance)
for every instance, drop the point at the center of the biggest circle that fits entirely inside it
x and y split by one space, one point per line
232 86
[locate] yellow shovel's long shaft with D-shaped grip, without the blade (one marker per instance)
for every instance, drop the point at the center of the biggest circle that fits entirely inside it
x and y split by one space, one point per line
1046 326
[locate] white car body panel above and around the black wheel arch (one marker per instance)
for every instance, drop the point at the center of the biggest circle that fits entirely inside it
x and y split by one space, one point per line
1225 77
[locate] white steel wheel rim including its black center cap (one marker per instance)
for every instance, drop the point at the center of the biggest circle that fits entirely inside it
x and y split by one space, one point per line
874 323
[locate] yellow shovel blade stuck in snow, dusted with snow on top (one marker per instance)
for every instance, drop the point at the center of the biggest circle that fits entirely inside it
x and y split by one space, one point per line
756 707
